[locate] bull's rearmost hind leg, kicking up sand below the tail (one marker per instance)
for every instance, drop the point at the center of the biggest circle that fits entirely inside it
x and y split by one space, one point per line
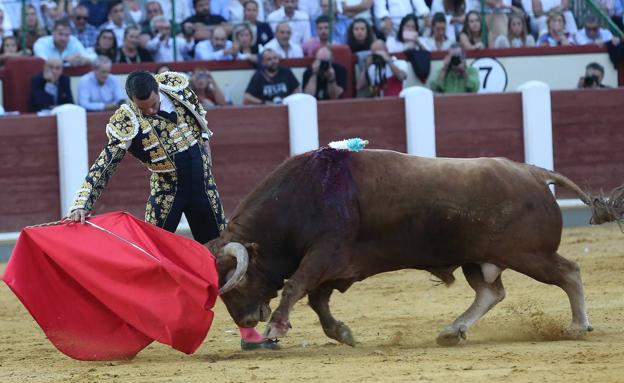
556 270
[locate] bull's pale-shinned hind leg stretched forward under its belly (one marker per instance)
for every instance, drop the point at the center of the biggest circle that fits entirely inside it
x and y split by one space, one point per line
489 291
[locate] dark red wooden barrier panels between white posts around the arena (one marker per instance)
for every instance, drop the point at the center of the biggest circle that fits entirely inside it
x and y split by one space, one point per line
250 142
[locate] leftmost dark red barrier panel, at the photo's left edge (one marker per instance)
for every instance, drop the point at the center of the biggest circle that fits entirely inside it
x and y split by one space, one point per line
29 179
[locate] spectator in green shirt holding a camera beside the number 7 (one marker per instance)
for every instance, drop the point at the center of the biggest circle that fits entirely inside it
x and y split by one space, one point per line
455 76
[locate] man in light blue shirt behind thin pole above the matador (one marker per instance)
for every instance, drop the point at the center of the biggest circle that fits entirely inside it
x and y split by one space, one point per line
161 45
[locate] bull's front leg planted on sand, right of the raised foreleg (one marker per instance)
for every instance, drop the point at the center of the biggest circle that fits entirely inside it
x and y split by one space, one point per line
319 301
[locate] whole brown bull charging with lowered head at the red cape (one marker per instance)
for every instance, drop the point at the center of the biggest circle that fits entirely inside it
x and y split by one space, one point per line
326 219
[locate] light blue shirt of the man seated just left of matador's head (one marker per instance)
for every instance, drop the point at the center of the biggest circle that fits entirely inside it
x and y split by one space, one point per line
94 96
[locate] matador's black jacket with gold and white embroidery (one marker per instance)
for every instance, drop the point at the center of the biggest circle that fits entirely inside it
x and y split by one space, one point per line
152 140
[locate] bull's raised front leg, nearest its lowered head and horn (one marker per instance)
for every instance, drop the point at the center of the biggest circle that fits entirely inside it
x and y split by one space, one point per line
308 276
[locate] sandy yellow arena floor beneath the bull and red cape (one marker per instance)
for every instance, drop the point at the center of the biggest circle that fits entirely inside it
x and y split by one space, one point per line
395 318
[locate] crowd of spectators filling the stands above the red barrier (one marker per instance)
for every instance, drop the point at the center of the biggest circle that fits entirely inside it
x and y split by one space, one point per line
101 32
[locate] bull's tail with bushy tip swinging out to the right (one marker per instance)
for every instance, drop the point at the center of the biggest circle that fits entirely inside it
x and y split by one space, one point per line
604 207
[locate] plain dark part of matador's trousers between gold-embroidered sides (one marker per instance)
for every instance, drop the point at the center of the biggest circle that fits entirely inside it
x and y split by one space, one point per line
191 198
